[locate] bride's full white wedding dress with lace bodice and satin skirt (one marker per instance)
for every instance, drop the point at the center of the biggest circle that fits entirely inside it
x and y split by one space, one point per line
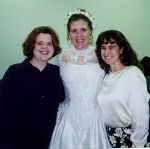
79 122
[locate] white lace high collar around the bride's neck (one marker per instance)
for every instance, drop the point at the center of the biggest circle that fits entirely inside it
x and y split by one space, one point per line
86 54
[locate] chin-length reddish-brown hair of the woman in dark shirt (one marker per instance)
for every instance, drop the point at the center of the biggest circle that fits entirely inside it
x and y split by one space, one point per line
29 43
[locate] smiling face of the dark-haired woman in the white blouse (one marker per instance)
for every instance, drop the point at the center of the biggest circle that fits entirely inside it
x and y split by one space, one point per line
110 53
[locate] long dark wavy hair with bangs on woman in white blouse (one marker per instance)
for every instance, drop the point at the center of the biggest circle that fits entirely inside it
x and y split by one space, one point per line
128 56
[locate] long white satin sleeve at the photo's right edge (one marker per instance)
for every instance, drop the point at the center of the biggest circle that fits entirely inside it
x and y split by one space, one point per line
139 107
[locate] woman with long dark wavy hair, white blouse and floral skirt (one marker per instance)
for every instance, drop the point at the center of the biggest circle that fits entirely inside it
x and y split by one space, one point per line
123 96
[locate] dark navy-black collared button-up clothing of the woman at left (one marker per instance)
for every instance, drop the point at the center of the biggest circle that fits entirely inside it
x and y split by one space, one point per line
29 106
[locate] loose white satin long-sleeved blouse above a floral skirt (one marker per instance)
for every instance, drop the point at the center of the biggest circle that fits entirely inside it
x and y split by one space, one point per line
123 99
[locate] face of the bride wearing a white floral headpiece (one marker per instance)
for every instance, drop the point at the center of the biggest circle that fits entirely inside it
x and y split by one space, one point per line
80 34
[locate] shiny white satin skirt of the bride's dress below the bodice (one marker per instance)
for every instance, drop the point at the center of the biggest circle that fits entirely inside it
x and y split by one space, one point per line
64 136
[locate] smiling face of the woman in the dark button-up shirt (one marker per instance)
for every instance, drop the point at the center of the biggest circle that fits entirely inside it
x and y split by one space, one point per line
44 48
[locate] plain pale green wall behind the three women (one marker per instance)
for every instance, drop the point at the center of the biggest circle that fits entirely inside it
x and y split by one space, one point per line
19 17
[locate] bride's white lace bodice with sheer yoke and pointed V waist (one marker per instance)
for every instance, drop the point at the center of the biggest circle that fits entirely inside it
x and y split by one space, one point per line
81 75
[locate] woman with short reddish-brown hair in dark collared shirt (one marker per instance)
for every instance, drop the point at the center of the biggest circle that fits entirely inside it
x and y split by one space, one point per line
32 91
